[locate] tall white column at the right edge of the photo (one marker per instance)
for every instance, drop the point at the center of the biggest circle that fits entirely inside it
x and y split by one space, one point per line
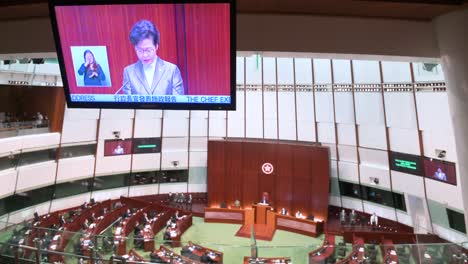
452 36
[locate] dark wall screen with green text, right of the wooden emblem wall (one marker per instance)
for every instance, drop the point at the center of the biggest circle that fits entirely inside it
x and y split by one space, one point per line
406 163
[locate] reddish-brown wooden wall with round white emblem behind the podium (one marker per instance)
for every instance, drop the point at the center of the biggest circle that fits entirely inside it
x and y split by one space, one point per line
300 180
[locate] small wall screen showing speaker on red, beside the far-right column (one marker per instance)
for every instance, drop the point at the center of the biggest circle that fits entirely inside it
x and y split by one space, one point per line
440 170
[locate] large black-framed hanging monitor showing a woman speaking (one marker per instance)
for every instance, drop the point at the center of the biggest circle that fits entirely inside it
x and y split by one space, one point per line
146 54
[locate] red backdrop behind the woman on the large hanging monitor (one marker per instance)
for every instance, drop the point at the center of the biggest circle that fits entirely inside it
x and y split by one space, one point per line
195 37
